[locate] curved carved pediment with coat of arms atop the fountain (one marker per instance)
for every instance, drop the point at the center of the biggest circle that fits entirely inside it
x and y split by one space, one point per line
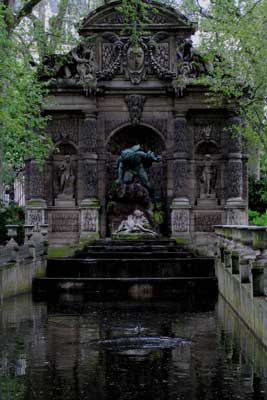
106 52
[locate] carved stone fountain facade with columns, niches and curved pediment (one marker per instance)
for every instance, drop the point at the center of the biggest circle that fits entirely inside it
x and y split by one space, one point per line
109 96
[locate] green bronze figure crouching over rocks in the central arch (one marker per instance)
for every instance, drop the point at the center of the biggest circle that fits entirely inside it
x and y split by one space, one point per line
136 162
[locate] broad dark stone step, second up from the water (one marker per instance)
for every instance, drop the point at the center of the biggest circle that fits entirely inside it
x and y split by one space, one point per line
127 268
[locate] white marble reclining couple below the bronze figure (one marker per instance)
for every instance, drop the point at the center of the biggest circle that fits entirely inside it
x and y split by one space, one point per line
135 223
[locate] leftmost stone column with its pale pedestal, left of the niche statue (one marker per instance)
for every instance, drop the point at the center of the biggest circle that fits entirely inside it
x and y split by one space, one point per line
36 207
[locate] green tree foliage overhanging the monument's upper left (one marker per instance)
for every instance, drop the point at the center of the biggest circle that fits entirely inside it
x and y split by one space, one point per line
25 41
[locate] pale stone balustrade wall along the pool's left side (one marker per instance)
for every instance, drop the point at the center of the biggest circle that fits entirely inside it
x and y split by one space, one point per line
20 264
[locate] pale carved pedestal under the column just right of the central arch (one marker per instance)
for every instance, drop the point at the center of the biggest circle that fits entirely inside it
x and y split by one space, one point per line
180 217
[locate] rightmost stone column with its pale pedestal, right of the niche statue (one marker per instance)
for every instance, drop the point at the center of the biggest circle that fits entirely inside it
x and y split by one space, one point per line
236 209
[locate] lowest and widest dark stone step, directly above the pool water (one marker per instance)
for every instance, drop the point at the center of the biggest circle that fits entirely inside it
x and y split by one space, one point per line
146 287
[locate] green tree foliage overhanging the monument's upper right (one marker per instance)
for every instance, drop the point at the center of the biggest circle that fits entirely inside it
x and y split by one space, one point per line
233 39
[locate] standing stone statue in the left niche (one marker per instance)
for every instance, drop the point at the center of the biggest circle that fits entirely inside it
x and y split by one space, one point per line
66 176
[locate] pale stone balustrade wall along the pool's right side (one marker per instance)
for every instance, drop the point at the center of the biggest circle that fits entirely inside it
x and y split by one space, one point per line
241 261
